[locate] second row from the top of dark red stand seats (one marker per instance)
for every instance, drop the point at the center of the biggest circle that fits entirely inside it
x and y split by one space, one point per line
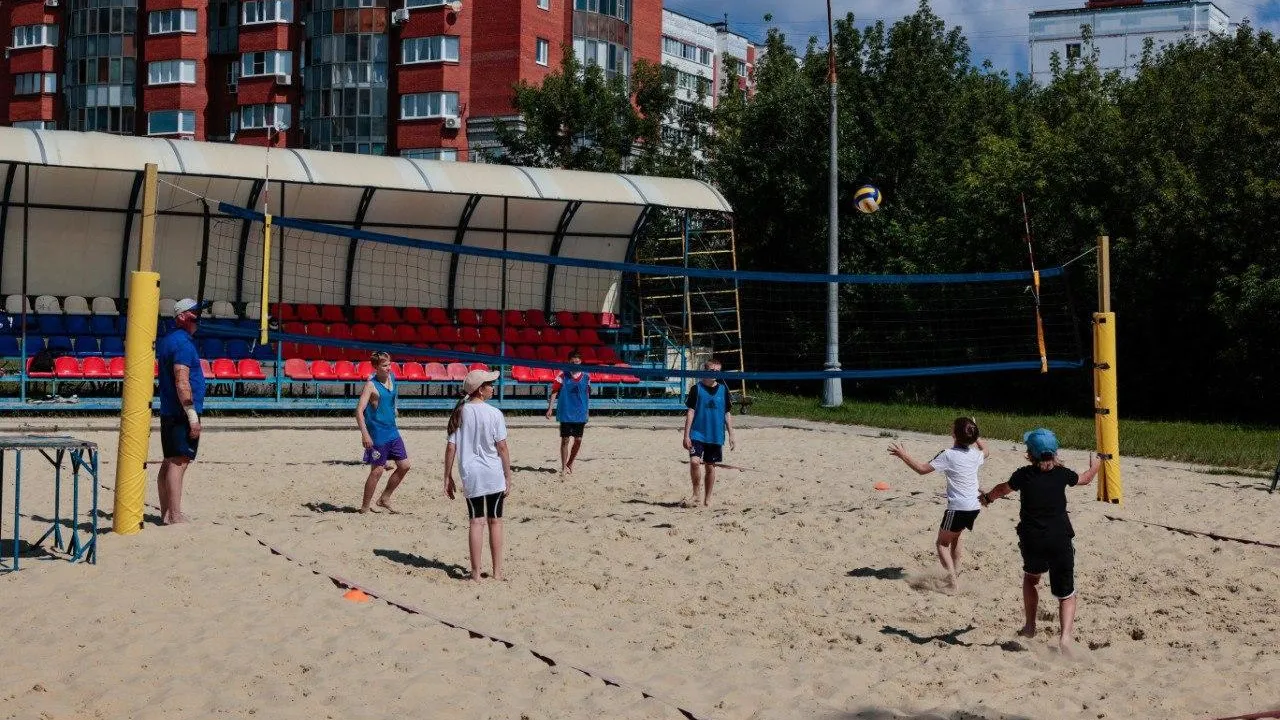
414 335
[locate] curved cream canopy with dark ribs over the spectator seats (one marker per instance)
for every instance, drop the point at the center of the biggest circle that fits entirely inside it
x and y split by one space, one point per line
81 192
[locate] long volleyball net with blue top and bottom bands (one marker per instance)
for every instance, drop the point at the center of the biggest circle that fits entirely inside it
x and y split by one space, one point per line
528 299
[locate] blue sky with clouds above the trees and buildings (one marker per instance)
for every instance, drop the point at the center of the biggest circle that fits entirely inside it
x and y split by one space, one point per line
996 29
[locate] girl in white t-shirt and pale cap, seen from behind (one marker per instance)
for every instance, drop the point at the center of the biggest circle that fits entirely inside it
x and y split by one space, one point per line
478 440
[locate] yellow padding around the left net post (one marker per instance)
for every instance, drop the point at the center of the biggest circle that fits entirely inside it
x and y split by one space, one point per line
140 357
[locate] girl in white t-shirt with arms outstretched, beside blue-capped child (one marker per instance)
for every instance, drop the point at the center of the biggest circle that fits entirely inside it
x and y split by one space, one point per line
961 466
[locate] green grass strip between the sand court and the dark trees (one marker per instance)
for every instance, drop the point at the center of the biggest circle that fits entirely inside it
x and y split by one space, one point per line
1205 444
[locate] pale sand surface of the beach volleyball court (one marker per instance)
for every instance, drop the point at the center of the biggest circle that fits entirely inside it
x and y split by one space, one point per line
788 599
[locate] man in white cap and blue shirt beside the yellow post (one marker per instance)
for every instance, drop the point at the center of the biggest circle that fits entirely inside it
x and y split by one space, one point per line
182 399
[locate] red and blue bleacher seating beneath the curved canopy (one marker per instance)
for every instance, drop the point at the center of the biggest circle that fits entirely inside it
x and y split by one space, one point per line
88 343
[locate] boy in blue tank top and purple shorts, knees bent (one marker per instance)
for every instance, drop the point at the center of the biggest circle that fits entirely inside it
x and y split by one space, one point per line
376 416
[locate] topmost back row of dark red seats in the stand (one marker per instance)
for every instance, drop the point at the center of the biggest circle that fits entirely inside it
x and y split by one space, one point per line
310 313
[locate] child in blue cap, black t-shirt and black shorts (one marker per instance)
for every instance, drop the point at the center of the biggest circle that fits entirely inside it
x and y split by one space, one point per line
1045 530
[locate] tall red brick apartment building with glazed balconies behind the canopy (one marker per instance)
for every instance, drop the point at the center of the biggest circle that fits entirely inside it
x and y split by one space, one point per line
422 79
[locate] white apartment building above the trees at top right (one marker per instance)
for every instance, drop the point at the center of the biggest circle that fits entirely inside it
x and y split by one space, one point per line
1121 30
